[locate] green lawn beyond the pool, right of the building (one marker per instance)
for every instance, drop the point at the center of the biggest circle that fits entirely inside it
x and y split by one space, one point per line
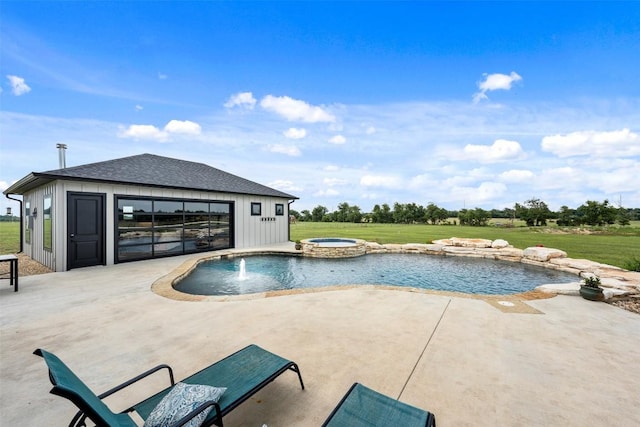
615 246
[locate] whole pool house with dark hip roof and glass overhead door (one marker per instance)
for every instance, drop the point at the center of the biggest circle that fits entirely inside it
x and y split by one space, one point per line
141 207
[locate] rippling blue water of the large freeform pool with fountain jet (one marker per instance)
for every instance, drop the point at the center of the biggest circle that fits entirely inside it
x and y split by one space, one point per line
460 274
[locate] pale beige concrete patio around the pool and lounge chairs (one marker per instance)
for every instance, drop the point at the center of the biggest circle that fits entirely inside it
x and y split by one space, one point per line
569 362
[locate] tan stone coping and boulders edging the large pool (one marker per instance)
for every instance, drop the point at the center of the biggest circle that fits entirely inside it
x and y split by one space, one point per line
615 281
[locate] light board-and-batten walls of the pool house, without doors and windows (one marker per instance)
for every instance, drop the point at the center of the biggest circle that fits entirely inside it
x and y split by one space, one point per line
249 231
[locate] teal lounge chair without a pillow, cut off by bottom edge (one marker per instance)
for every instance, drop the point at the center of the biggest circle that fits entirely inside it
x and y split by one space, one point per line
363 407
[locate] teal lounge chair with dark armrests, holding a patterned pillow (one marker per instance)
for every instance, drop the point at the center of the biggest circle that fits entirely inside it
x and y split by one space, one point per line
242 374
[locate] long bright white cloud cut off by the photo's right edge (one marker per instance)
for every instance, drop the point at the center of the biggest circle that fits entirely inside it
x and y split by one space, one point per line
617 143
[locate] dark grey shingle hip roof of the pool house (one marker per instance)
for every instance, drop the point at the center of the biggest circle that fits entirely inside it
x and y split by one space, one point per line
156 171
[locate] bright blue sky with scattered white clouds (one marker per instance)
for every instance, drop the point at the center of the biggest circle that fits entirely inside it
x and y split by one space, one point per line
463 104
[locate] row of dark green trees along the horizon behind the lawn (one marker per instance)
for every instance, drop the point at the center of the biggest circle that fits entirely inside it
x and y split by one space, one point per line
534 212
